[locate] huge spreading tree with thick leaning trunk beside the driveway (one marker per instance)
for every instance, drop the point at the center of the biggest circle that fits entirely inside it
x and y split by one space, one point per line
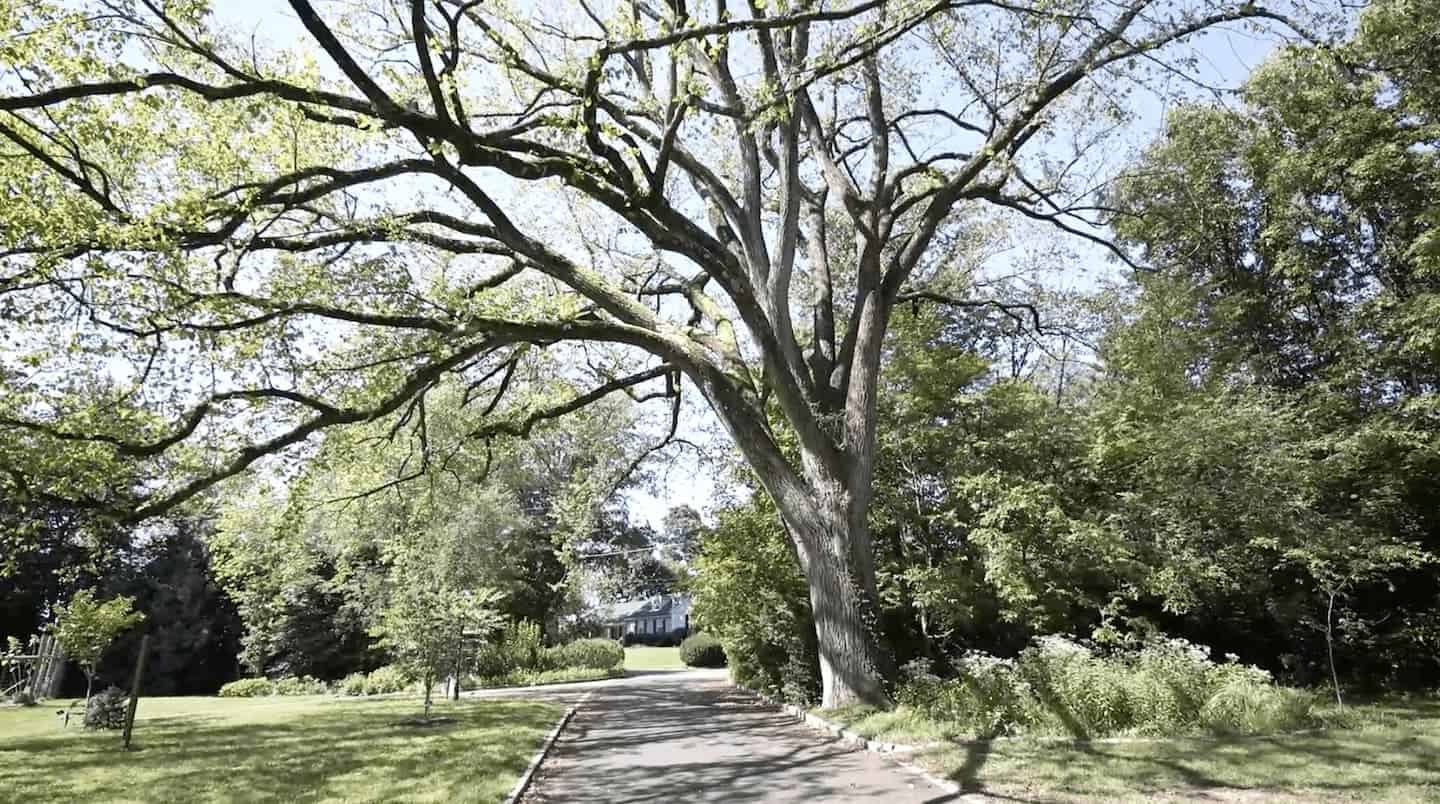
218 249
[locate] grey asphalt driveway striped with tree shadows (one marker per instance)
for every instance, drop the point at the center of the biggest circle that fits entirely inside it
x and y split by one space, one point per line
693 737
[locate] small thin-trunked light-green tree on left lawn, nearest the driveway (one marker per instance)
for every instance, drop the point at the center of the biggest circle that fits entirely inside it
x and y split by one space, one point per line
426 625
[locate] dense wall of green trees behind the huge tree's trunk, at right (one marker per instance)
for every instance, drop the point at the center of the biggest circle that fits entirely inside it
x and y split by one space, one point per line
1243 449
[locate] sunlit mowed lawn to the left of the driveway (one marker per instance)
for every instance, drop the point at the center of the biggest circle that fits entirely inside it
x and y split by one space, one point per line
276 750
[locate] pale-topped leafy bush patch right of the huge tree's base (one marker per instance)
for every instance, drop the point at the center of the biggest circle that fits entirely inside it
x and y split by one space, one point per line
1059 687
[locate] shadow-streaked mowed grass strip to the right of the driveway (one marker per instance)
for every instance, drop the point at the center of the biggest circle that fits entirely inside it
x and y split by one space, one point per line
1392 754
